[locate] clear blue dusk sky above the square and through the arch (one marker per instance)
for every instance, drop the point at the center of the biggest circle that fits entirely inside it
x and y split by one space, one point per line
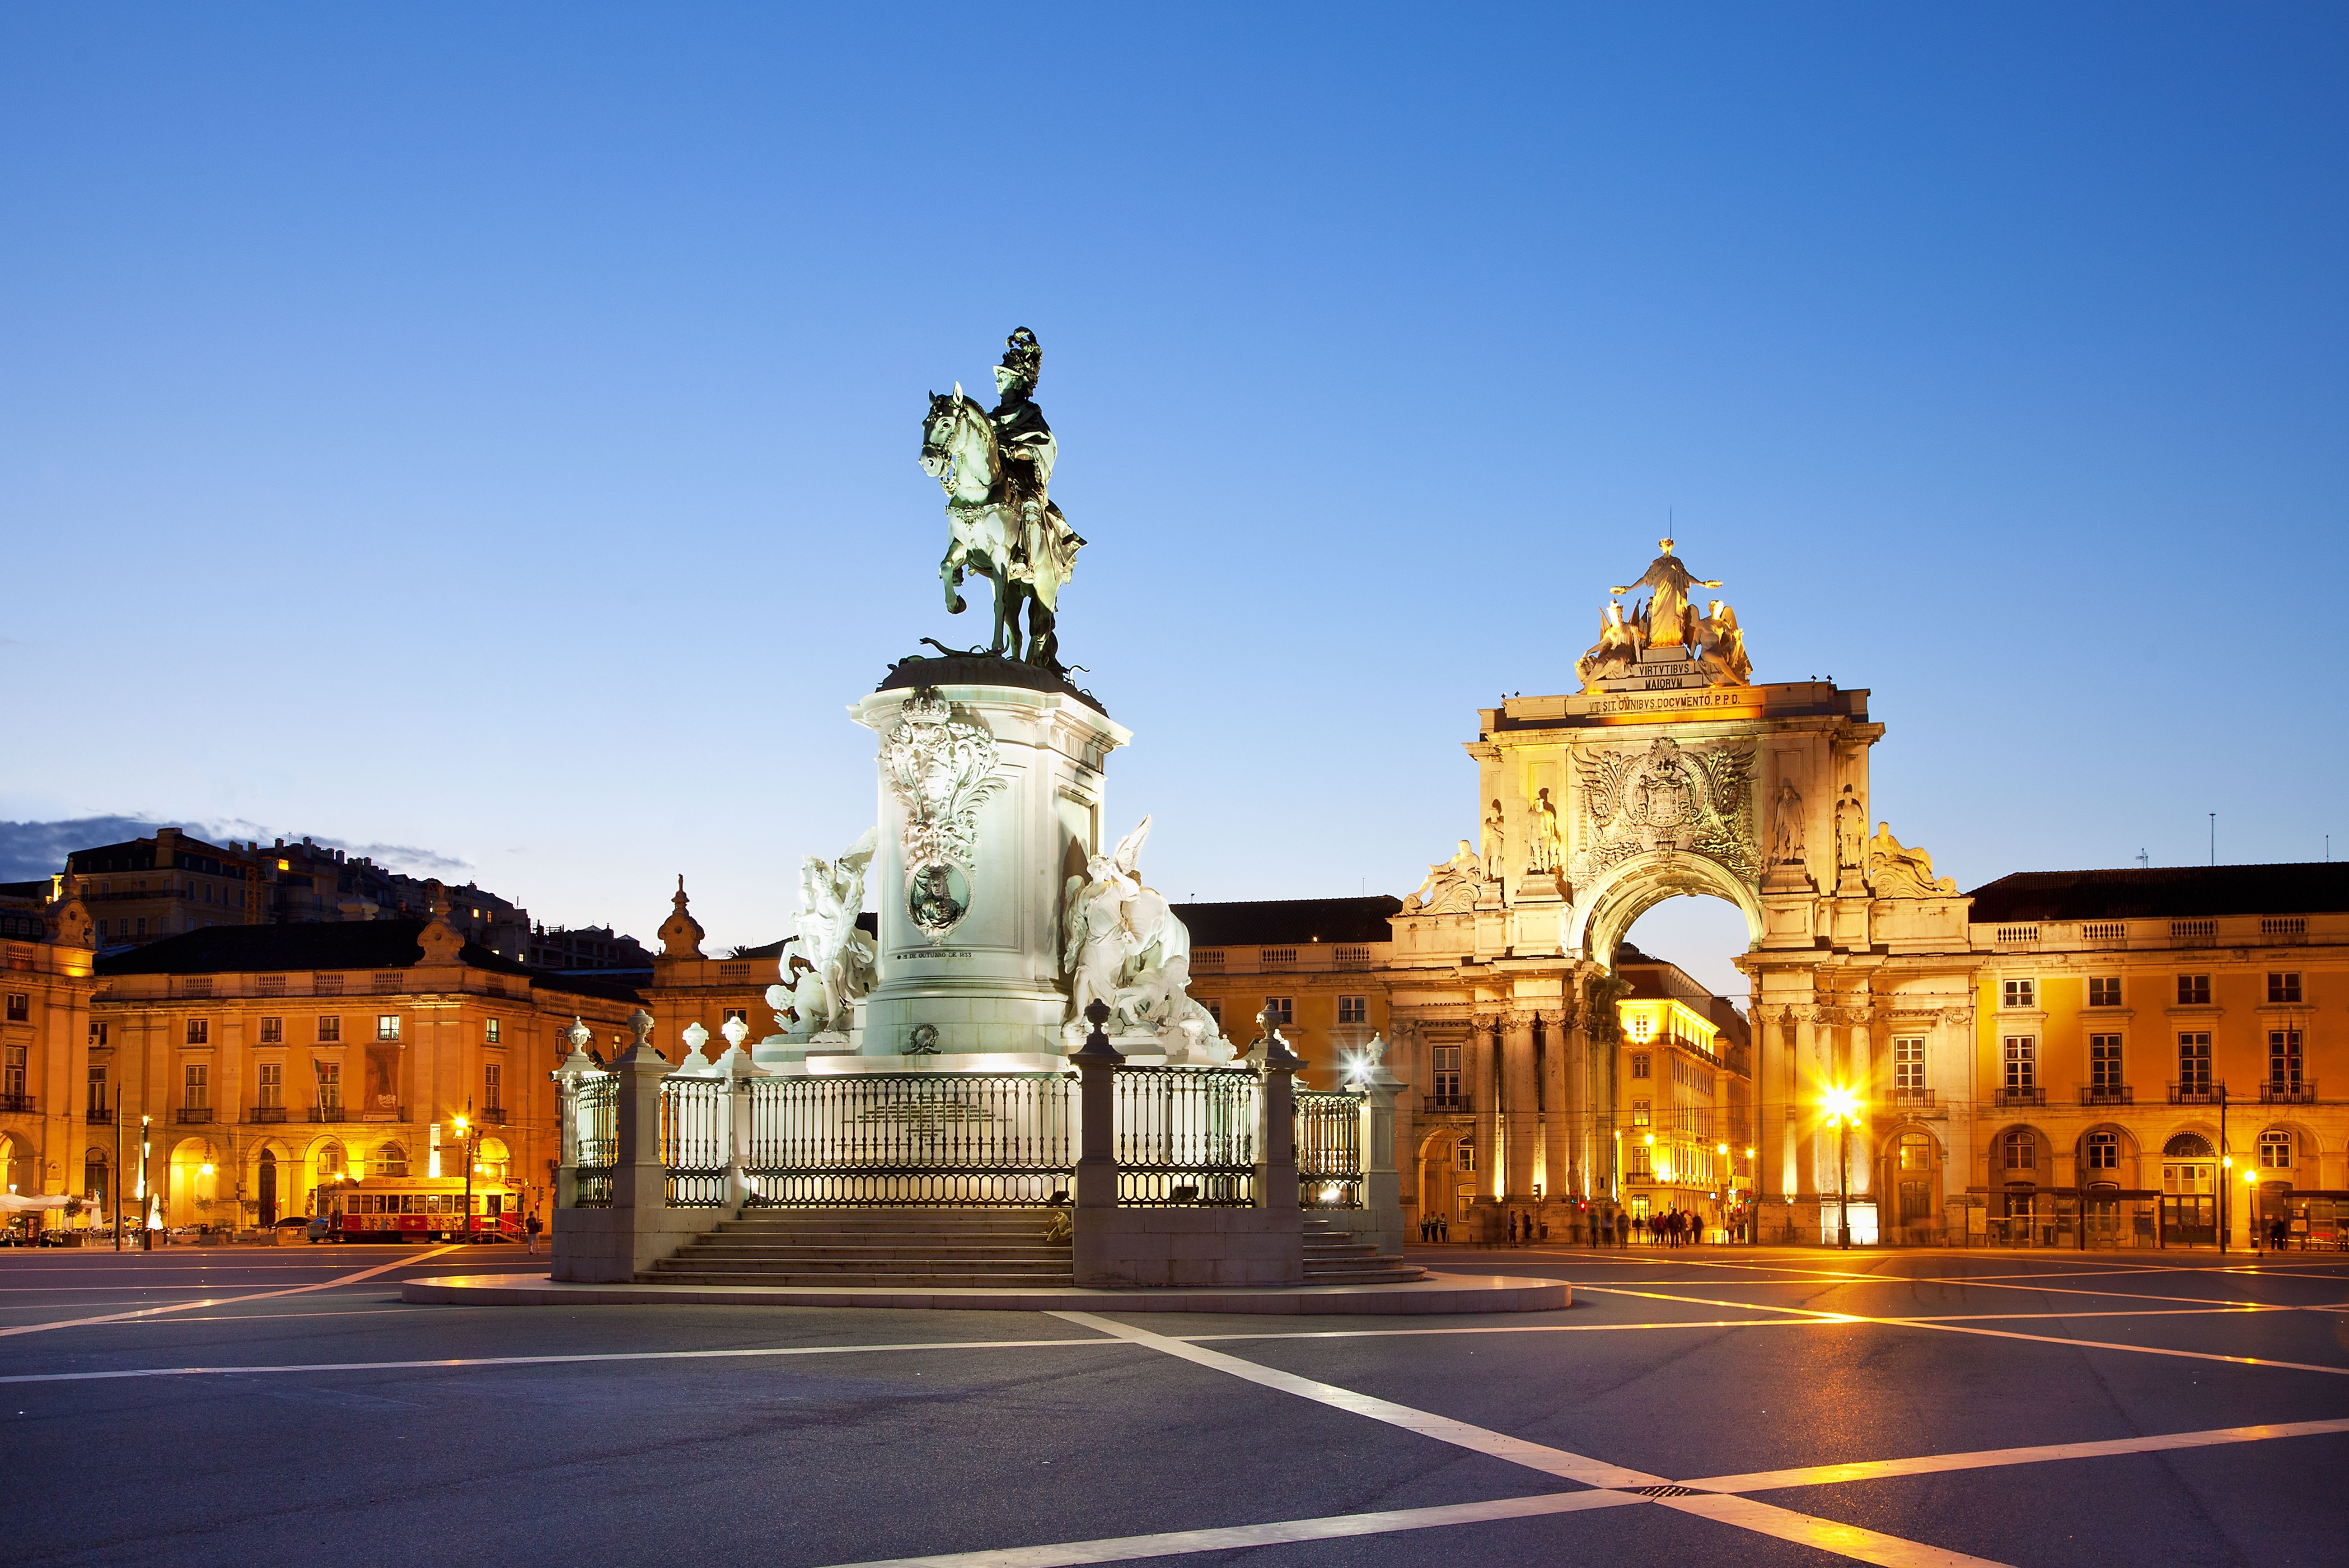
490 431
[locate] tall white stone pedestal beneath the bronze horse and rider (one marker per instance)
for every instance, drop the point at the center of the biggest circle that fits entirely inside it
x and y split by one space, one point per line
1004 766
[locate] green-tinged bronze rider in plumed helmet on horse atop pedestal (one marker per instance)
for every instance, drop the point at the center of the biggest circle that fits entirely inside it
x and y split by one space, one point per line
997 471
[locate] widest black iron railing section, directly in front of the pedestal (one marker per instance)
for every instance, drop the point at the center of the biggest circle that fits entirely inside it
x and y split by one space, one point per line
913 1140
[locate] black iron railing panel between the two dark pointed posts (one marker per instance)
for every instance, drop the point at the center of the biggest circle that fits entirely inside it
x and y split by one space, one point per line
1187 1137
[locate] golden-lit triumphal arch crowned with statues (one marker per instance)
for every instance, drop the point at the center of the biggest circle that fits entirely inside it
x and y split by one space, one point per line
1674 773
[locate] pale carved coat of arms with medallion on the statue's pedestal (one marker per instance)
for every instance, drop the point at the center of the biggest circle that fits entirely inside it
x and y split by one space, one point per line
943 771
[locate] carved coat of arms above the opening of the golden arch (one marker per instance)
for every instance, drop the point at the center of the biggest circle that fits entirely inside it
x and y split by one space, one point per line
1662 797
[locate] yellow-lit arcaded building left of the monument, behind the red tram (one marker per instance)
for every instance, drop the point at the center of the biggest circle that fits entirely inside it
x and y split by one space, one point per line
271 1060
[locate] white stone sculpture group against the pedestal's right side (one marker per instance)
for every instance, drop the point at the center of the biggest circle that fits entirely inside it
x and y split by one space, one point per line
1122 945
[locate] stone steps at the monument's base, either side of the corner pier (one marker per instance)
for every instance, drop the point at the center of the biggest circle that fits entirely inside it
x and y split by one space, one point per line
943 1248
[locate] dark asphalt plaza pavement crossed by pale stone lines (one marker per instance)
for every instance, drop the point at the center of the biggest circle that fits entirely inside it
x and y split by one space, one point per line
1695 1407
